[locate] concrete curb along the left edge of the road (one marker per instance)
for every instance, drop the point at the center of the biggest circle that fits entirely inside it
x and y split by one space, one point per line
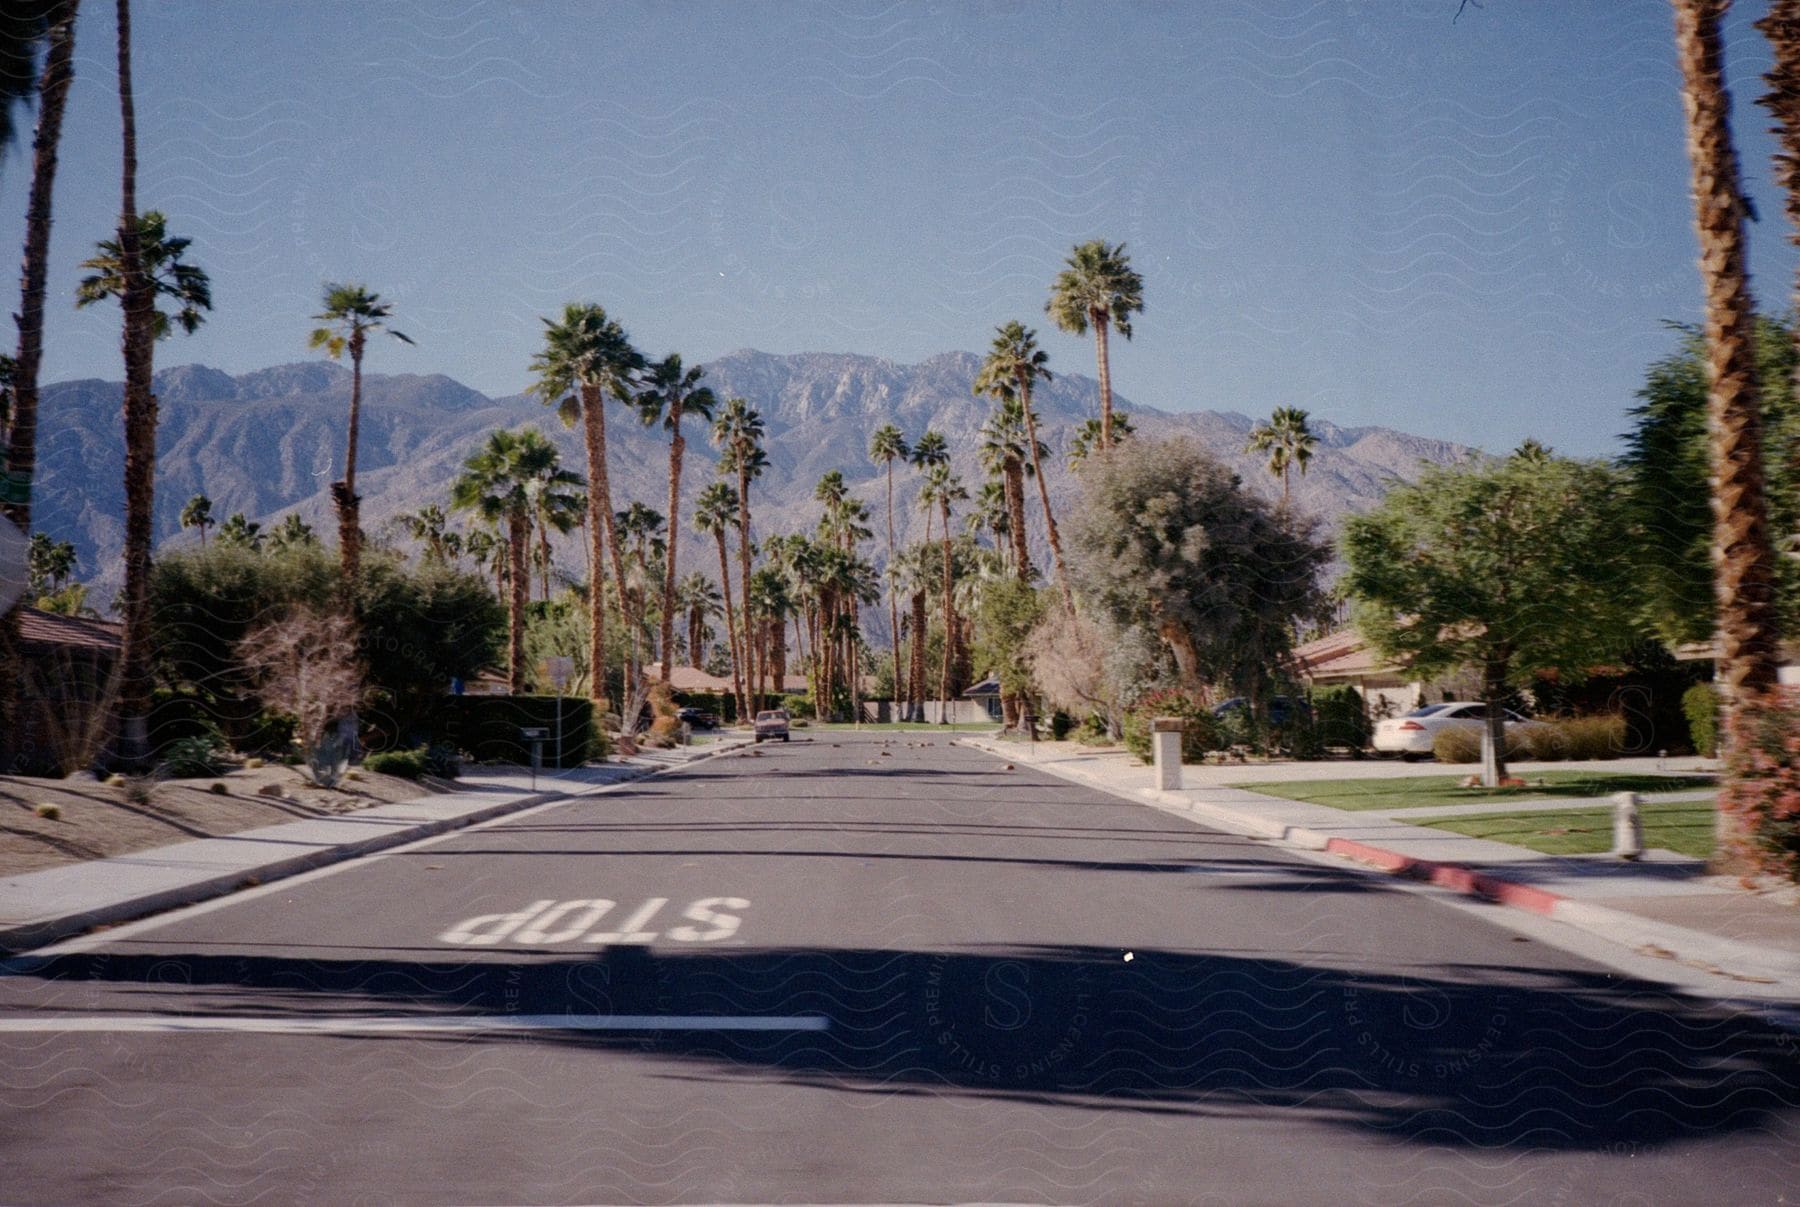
21 938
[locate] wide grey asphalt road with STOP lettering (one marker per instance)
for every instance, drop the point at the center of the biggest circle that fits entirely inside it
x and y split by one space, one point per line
867 970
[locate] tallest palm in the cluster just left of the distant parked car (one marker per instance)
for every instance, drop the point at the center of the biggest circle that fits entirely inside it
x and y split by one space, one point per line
584 357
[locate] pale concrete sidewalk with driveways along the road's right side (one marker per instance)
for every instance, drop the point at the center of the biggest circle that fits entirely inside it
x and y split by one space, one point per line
1660 906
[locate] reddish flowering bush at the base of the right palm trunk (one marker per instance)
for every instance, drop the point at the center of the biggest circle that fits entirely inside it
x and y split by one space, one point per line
1763 782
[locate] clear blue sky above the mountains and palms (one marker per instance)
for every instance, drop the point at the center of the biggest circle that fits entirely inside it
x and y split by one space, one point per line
1466 229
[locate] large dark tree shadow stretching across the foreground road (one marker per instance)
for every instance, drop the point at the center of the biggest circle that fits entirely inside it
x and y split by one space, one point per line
1471 1057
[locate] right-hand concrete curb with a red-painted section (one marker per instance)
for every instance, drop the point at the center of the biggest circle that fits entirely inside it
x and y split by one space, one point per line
1696 949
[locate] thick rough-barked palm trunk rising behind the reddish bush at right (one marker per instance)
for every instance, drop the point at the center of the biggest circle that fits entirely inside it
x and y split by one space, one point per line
1743 553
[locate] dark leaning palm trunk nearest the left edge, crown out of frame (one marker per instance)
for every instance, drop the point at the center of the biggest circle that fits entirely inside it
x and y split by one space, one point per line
22 434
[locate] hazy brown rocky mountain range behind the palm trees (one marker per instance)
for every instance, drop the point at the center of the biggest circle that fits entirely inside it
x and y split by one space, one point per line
271 442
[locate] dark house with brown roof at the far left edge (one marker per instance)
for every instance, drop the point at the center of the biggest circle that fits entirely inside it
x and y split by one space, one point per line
67 692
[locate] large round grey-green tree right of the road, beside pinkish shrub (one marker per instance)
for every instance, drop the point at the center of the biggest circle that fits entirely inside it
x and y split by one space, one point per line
1169 539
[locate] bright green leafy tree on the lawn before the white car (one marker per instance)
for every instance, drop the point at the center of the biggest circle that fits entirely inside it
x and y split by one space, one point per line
1509 568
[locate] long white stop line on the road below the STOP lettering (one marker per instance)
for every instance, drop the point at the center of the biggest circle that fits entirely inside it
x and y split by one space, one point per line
426 1024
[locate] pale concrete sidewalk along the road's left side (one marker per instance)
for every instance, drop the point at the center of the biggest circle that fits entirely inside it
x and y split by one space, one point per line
60 902
